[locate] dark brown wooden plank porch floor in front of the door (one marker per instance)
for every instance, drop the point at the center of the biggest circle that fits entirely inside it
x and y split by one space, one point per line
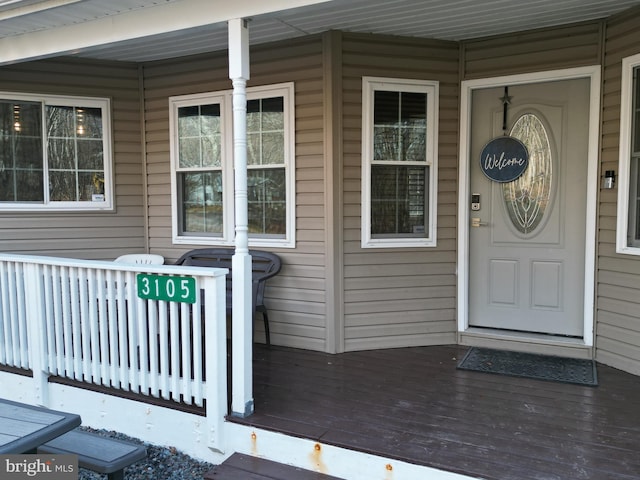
414 405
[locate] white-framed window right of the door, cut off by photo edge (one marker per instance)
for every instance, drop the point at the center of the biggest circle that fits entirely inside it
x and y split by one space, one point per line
628 231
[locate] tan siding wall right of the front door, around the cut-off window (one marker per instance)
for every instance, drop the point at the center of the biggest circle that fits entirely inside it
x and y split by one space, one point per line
618 276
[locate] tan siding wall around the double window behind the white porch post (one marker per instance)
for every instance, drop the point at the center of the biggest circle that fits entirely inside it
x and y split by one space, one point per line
296 296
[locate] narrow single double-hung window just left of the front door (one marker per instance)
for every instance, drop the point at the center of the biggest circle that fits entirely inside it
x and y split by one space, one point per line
399 167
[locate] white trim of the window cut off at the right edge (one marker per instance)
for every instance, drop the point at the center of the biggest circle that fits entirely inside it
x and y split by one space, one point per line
624 162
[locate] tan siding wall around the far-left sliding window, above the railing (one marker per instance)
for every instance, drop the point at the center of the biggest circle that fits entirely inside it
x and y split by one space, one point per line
90 235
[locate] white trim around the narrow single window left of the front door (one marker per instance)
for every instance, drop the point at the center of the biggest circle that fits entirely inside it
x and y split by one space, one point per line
431 88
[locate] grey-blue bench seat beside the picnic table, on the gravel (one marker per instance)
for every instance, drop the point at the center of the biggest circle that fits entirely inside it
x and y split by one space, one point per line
100 454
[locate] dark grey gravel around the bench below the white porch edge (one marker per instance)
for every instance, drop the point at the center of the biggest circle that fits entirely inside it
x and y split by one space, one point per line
162 463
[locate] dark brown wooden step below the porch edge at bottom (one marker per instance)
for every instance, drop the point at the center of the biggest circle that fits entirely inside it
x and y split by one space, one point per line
246 467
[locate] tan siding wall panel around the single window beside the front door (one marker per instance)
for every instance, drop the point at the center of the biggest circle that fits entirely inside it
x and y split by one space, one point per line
396 296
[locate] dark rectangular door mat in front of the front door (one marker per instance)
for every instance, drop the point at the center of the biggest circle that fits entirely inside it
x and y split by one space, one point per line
529 365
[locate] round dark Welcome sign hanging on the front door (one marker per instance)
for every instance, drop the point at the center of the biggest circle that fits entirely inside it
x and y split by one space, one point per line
504 159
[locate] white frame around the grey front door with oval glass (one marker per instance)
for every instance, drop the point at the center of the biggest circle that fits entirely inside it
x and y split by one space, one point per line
467 87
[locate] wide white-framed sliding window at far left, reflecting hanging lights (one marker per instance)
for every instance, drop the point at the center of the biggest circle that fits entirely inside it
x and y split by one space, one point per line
55 153
